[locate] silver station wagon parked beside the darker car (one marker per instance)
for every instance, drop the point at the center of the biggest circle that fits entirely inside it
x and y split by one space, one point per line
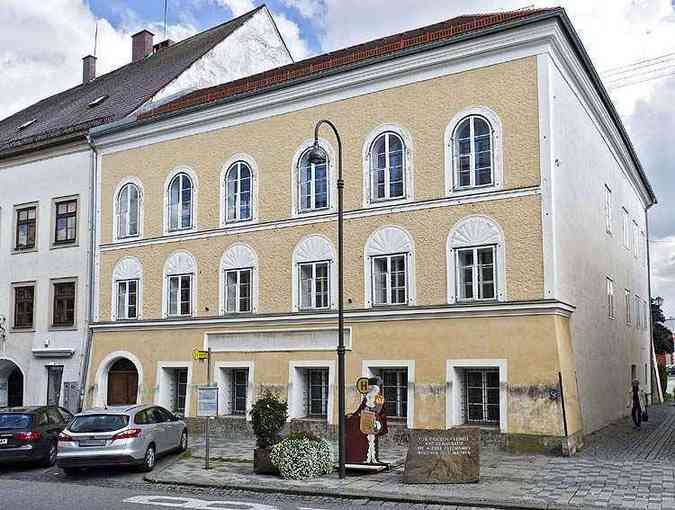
115 436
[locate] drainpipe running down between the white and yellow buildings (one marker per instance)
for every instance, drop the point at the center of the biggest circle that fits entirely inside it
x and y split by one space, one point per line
90 266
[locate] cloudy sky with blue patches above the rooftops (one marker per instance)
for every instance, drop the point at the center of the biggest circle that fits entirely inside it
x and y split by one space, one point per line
42 42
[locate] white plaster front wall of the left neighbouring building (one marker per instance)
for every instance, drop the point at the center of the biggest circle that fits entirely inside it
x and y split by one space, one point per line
55 175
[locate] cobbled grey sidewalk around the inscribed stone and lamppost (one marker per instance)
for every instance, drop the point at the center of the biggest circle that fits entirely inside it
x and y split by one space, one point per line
619 468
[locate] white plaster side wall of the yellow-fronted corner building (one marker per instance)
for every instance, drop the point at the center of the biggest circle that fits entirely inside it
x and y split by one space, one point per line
578 162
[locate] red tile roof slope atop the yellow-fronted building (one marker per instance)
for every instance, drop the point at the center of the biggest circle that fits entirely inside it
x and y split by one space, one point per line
314 67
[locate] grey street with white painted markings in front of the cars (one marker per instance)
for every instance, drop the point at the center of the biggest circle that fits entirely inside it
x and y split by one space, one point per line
28 488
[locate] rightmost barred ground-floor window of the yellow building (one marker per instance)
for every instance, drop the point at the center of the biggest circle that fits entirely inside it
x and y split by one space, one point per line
482 395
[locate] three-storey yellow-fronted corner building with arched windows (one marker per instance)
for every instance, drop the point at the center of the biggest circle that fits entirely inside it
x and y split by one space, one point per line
483 178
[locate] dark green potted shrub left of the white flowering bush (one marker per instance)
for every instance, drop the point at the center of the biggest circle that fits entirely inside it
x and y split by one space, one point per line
268 417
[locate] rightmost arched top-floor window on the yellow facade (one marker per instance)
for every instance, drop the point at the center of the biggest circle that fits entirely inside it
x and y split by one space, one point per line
473 153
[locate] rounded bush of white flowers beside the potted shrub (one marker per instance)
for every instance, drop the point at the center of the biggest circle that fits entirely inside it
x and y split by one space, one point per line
301 457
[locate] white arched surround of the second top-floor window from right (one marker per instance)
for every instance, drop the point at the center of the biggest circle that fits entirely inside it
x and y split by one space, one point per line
404 135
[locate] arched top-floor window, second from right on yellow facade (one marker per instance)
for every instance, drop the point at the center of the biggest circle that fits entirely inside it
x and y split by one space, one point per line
387 167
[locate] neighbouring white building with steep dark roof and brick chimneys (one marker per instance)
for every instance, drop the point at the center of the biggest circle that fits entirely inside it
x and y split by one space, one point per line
47 171
